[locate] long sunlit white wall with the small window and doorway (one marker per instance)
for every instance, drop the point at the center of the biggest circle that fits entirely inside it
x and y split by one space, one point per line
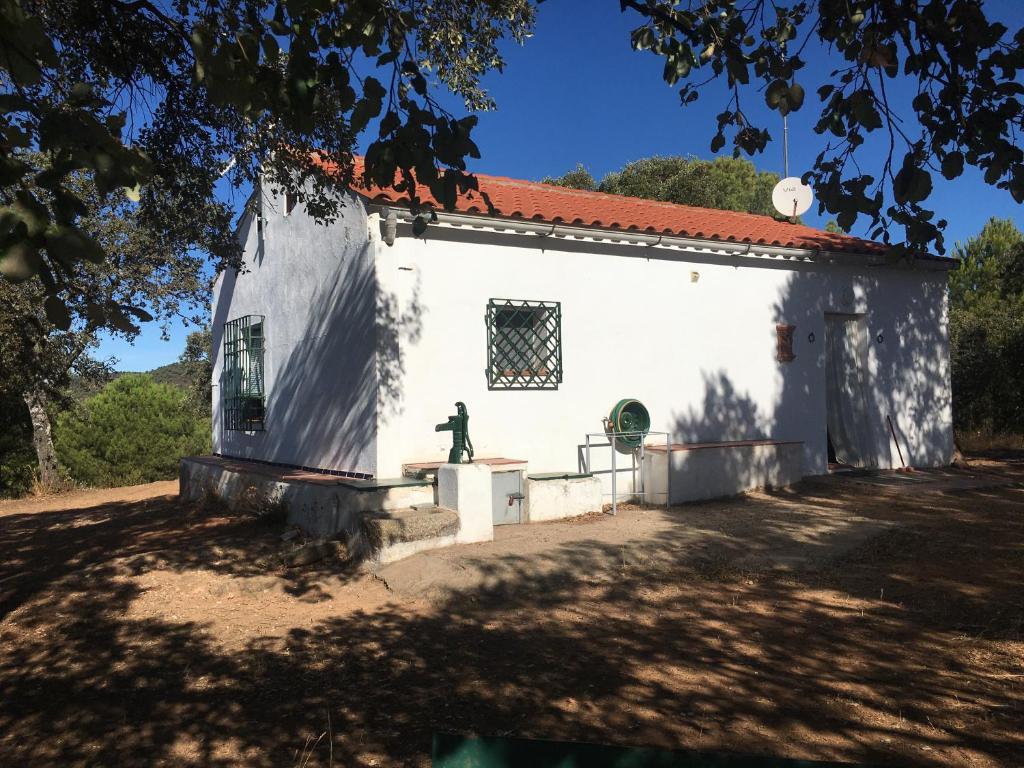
700 355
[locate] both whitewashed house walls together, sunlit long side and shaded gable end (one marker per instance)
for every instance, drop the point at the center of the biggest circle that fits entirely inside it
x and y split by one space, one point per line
369 347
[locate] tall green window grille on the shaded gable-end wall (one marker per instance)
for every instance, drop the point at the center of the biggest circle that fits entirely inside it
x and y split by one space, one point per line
242 380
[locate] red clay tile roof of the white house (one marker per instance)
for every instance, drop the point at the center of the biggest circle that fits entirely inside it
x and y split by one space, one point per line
517 199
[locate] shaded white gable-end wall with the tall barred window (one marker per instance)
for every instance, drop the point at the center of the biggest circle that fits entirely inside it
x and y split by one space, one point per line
316 287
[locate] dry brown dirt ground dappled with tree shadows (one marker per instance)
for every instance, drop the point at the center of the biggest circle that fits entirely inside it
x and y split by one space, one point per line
847 620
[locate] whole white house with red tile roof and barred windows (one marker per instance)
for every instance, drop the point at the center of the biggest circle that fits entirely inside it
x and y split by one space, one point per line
543 312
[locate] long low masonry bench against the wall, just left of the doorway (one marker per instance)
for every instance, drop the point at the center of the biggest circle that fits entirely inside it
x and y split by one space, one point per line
711 471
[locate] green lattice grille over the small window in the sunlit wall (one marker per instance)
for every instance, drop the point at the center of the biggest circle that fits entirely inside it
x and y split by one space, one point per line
525 345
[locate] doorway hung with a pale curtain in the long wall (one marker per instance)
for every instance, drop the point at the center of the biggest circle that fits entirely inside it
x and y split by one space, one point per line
846 391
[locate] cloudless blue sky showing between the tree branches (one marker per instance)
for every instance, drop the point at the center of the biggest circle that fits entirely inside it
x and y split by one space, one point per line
577 93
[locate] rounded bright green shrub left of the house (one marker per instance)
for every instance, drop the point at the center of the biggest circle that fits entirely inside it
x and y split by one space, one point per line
135 431
